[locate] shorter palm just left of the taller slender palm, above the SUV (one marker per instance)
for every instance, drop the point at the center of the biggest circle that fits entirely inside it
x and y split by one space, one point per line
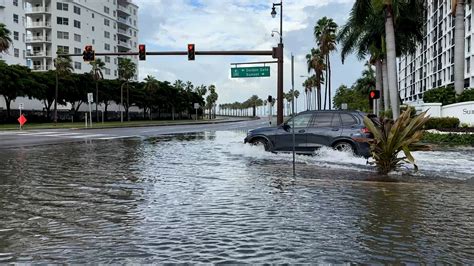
315 61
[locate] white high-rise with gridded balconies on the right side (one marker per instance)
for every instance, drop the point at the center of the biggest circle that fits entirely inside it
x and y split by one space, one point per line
432 65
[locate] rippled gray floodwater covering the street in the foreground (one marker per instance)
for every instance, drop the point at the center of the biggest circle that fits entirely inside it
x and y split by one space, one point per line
207 198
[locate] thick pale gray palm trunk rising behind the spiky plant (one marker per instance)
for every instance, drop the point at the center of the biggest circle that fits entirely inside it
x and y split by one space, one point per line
392 63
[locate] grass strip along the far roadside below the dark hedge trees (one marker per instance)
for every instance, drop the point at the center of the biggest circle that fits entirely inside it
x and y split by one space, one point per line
116 124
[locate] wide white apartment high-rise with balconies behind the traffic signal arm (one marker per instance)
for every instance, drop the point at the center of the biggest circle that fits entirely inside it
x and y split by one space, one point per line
69 25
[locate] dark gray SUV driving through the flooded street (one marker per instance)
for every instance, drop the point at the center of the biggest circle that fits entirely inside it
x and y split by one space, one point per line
342 130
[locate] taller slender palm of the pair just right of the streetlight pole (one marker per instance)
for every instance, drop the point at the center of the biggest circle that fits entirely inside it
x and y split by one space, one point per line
325 35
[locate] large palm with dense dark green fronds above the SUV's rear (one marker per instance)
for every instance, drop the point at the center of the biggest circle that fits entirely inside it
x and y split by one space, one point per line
370 30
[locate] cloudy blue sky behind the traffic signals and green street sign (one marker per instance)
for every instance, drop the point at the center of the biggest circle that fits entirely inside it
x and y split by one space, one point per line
169 25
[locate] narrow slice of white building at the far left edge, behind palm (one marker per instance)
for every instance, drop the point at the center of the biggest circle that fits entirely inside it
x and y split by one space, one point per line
12 14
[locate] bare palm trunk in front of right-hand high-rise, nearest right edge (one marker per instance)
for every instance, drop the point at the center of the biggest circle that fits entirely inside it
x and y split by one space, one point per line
459 47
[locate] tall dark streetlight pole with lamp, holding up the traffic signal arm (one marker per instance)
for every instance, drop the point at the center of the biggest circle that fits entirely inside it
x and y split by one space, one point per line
280 63
